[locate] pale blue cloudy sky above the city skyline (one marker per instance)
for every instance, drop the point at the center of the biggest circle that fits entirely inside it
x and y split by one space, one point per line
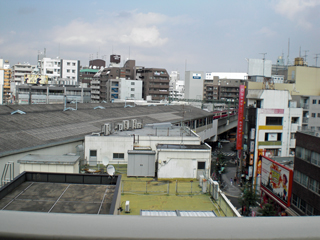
199 35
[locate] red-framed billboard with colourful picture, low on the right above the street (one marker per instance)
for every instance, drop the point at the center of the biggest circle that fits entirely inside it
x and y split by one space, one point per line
276 179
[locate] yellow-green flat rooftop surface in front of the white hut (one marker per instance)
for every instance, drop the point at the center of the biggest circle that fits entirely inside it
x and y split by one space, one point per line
180 196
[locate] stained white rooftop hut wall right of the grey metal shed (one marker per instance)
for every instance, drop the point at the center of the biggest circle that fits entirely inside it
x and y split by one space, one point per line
182 163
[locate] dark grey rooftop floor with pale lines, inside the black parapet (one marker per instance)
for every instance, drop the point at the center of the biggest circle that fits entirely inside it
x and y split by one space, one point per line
59 198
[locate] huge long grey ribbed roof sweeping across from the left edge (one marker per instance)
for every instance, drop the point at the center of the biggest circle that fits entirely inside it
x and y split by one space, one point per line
48 125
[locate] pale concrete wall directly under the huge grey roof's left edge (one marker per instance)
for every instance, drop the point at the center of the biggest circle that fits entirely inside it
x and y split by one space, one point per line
54 150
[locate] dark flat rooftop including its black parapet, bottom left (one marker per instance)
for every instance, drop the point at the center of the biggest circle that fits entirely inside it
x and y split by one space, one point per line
60 193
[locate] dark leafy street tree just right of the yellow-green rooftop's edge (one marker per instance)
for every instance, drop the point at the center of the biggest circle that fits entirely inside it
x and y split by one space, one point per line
248 199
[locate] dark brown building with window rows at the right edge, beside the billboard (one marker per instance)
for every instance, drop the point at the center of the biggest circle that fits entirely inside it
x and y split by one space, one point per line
306 179
